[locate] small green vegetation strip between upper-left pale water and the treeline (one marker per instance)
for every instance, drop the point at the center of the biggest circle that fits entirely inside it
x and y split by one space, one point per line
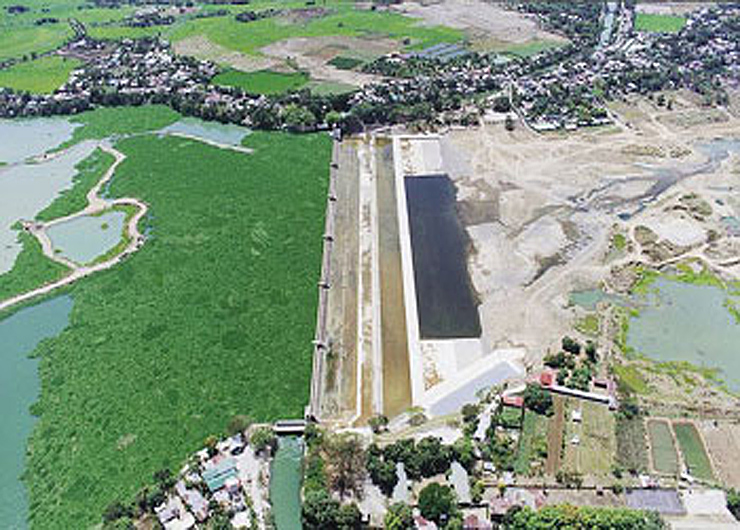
115 121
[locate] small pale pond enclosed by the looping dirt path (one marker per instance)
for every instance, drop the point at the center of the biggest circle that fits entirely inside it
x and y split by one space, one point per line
85 238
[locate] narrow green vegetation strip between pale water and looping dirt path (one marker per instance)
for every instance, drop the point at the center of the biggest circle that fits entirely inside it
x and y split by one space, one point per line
89 173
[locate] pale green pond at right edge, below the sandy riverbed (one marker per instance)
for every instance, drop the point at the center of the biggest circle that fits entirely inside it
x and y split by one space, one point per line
686 322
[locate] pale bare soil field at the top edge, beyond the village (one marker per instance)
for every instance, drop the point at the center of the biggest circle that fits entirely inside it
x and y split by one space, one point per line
482 21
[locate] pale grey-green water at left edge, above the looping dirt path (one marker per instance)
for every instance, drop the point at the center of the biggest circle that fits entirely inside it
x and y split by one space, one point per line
26 189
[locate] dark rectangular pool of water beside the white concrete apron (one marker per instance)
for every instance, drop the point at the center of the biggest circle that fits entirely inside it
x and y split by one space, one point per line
445 300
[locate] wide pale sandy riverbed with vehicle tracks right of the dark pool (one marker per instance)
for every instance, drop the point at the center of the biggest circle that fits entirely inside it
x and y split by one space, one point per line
540 211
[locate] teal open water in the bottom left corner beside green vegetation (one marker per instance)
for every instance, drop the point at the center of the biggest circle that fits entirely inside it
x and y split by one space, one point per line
19 388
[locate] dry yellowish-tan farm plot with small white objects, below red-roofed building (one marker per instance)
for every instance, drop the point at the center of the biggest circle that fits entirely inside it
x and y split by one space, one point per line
594 451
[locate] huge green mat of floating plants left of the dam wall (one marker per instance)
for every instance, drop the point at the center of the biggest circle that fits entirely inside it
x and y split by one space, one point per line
213 317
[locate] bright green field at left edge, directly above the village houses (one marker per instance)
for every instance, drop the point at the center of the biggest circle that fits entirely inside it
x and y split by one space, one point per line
41 76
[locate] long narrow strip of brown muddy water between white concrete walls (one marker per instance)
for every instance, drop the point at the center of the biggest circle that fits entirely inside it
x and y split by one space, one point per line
396 371
